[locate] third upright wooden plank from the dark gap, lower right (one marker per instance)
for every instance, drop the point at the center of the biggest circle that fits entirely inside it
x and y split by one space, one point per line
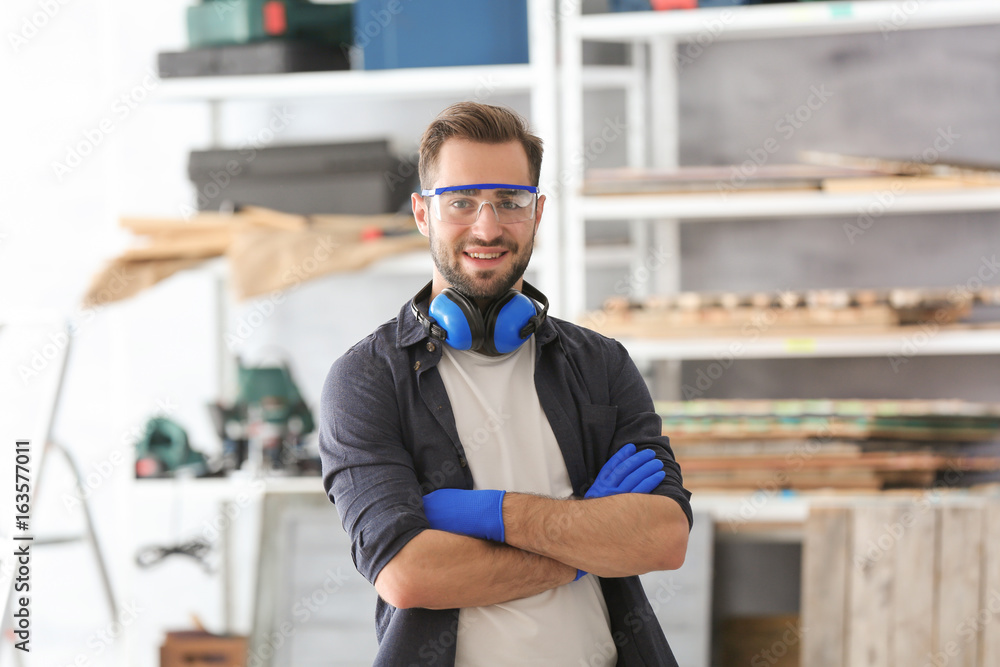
915 530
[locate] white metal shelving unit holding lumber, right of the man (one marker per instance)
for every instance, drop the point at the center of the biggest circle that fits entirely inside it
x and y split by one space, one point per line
656 39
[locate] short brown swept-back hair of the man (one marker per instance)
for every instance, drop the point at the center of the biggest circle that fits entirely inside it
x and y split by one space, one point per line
483 123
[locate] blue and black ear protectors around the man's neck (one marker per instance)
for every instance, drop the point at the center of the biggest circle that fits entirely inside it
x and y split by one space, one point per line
455 319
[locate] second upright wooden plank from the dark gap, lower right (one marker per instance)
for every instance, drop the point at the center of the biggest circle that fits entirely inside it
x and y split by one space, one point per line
871 573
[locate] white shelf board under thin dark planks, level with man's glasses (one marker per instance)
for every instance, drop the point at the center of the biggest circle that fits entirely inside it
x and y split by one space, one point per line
785 204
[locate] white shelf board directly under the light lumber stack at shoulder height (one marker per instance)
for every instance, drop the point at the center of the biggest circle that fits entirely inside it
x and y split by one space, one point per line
911 341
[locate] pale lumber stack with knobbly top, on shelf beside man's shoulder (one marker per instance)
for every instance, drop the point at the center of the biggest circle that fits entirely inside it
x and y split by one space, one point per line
729 313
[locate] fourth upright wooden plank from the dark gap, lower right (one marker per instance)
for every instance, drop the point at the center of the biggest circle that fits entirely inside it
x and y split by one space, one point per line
959 584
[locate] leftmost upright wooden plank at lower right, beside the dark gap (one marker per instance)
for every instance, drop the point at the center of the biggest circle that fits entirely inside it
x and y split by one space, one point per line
825 563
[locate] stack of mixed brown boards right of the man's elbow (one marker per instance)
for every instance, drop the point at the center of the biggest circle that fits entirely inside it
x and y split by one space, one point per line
809 444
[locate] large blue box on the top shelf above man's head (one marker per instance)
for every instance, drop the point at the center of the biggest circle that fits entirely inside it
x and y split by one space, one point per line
440 33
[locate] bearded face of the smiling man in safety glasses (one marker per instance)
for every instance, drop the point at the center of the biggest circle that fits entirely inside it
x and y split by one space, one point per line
485 259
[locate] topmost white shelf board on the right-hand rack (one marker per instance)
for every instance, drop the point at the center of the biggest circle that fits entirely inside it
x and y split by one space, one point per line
785 20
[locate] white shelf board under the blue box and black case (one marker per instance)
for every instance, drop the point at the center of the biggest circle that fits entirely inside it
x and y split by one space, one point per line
390 83
